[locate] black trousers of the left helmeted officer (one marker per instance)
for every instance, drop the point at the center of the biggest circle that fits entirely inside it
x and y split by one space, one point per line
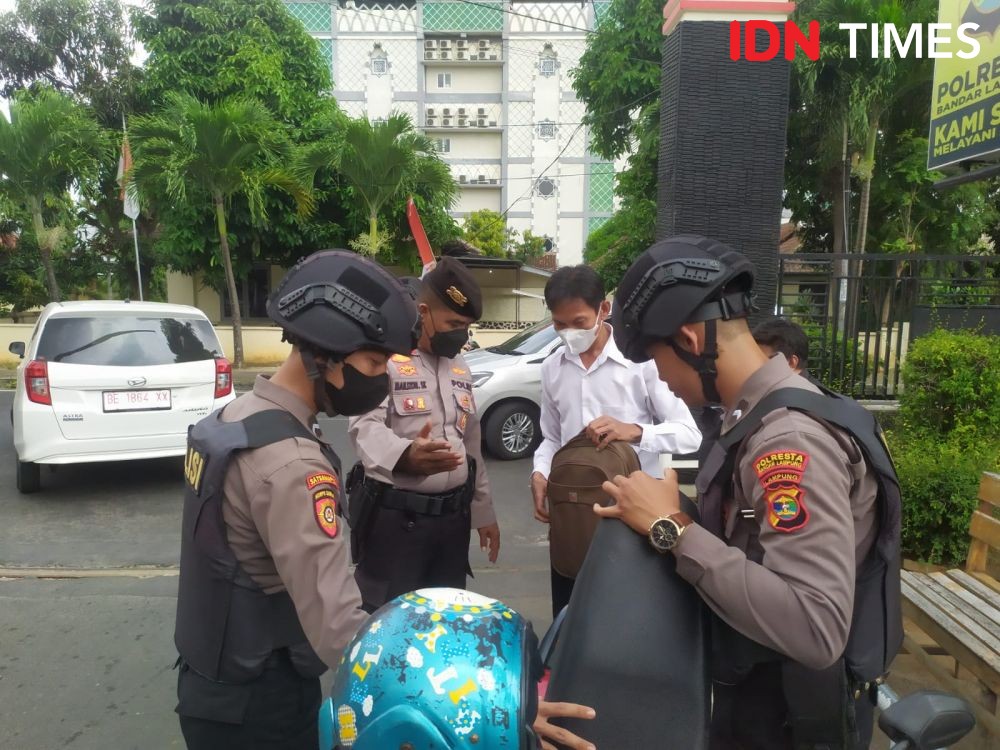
277 711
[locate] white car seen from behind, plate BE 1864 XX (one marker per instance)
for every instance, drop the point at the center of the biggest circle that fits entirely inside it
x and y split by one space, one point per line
113 381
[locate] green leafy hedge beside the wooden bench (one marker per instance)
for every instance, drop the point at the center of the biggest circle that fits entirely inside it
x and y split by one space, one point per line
948 433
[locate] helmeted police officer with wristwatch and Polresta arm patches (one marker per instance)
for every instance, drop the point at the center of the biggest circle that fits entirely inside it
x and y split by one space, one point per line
796 551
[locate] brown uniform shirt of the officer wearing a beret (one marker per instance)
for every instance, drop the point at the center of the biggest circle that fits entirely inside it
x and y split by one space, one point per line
425 387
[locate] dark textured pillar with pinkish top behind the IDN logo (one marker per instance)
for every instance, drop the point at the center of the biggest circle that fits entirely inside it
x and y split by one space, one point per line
722 134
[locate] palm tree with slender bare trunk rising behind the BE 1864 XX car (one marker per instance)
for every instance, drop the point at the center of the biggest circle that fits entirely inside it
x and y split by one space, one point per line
204 155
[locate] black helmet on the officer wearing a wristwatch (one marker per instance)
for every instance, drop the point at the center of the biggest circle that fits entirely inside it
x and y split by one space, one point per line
683 279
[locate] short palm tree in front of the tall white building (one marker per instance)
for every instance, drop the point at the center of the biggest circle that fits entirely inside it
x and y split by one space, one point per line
381 161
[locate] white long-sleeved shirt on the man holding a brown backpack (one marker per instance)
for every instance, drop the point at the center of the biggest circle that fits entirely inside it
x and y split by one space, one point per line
573 396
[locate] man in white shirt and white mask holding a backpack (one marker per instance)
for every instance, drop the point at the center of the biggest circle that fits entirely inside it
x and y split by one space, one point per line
590 384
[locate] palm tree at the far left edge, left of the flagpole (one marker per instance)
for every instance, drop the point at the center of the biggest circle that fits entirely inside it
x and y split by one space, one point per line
49 143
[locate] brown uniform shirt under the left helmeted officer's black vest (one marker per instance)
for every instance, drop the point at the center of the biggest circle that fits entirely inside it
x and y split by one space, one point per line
280 512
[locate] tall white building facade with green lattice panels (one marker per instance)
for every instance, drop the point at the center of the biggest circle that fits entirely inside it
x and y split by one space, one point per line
490 83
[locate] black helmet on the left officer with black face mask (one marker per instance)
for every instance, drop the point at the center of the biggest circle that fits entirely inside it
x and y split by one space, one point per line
337 302
